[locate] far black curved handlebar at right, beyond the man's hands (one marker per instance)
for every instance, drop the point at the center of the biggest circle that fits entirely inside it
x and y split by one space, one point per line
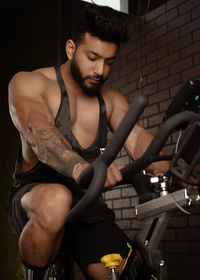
157 143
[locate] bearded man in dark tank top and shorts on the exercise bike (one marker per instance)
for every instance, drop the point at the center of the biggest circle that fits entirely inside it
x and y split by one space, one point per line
62 114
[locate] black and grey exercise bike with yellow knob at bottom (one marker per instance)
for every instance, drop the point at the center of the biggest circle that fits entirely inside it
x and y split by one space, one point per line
145 261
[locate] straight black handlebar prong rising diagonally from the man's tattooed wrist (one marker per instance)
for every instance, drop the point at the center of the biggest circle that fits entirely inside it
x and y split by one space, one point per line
119 136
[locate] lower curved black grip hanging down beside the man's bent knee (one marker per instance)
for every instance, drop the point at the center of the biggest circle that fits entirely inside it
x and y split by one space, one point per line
94 190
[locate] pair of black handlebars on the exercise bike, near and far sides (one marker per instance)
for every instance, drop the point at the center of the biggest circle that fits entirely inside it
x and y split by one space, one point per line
97 169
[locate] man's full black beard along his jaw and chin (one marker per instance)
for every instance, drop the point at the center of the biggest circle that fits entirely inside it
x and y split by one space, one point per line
92 90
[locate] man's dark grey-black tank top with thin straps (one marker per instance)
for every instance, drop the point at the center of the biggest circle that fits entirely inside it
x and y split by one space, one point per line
42 172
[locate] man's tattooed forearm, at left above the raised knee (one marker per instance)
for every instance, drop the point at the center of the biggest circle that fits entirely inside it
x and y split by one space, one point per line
52 149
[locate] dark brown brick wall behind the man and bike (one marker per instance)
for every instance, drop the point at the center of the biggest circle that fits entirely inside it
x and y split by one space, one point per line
164 50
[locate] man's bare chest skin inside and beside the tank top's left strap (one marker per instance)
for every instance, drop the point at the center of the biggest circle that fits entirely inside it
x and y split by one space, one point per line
82 113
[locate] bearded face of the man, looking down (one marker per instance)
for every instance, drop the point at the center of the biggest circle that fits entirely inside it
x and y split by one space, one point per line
91 63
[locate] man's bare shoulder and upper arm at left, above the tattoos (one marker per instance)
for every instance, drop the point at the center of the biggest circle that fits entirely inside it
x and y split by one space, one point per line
26 102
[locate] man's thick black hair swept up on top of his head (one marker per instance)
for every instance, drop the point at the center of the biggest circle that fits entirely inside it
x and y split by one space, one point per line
103 22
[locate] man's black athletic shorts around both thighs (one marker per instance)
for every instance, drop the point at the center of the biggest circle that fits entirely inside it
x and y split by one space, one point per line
86 242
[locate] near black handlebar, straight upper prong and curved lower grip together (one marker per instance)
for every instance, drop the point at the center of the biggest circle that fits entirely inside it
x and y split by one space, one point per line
97 170
